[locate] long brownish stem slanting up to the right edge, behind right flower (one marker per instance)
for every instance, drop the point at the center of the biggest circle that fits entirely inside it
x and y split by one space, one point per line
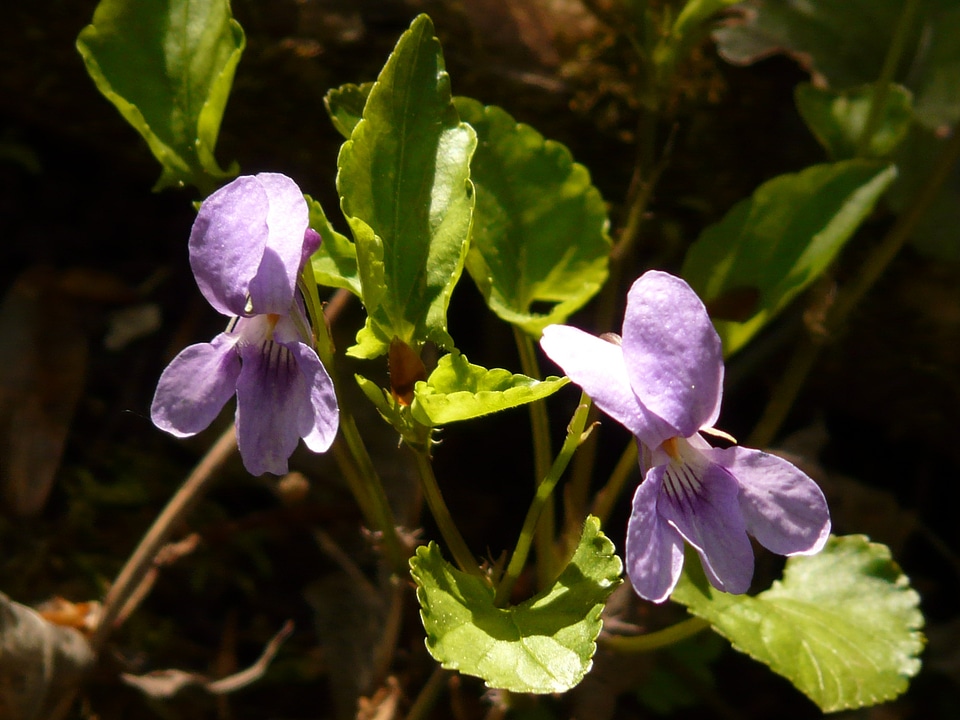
802 362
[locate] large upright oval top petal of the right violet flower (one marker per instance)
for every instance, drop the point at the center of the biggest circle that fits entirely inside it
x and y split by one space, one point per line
673 354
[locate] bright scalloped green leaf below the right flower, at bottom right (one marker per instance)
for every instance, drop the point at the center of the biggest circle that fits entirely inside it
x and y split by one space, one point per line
843 625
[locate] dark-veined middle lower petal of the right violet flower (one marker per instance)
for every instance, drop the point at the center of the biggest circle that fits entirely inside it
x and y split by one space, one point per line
710 520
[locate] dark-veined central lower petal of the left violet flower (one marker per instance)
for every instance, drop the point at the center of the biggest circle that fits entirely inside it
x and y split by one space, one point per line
271 395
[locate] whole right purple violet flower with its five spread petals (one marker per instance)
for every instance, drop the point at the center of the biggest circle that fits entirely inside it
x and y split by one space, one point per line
664 383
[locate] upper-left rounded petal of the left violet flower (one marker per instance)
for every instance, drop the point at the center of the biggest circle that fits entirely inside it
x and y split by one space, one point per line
227 243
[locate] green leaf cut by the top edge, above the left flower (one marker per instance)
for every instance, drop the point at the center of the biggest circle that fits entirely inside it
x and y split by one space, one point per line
167 65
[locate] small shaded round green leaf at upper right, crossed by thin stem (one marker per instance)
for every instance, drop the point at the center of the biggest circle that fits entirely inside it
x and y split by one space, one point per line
837 119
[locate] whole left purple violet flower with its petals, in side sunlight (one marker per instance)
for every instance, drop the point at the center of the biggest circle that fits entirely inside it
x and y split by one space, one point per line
248 246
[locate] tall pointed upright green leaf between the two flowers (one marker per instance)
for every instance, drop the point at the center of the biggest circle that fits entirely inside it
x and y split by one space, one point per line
405 189
